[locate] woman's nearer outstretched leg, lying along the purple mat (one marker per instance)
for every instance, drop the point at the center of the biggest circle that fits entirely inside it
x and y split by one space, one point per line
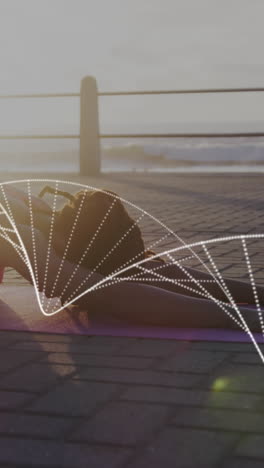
142 304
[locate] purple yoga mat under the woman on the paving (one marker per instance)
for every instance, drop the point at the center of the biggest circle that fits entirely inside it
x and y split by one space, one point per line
19 310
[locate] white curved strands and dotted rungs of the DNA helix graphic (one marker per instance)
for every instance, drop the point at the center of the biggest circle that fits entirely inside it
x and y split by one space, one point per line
80 291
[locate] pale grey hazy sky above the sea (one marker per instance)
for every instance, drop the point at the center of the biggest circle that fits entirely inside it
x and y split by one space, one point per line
49 45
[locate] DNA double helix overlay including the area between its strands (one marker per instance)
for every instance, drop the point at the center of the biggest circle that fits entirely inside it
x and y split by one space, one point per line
113 237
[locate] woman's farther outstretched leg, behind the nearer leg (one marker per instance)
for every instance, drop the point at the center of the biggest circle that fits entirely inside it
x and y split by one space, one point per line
241 291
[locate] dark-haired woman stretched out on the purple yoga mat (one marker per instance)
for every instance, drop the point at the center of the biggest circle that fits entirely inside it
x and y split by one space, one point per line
167 304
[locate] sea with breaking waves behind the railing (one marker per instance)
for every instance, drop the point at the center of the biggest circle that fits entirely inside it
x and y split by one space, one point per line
242 155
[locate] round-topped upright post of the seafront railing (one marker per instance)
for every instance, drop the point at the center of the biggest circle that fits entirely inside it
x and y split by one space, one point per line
90 160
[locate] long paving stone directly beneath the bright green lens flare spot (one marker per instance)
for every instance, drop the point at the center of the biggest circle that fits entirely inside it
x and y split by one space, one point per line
191 397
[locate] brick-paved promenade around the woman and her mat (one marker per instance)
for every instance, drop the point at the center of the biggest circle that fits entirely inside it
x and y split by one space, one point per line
100 402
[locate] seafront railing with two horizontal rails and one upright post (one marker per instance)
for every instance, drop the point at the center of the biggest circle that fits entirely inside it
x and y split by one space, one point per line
90 136
